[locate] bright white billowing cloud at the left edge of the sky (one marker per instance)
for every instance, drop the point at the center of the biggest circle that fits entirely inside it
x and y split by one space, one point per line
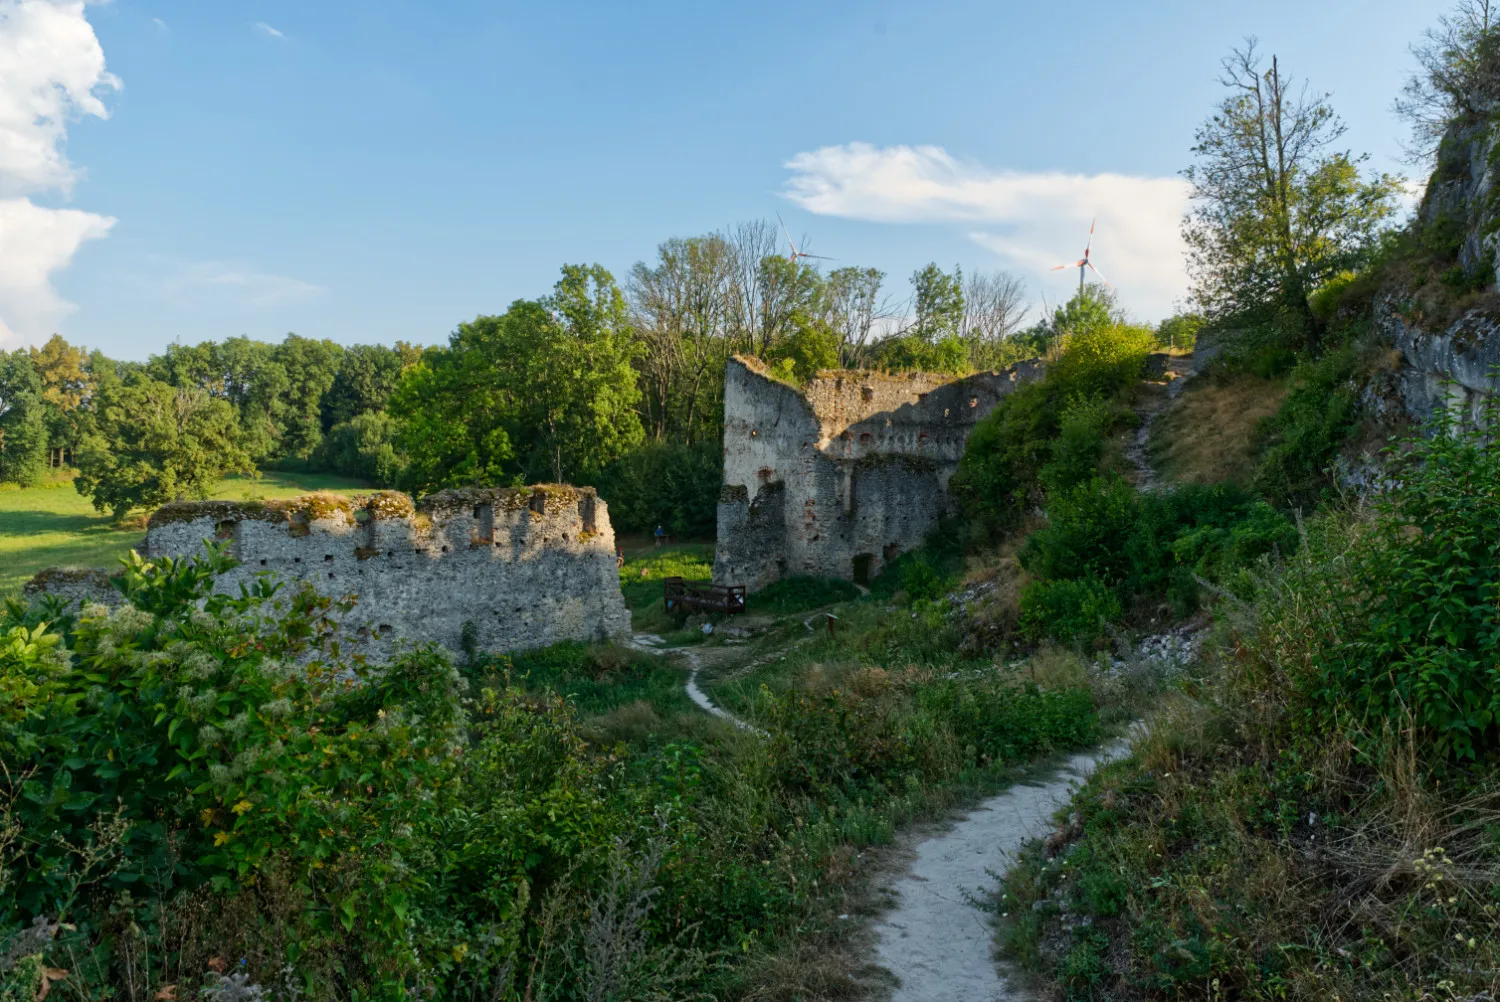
52 71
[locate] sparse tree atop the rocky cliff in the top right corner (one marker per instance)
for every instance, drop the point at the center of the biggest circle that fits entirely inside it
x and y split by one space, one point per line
1459 83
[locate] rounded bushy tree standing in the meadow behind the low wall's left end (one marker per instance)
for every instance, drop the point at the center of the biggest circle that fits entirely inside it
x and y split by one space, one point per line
155 443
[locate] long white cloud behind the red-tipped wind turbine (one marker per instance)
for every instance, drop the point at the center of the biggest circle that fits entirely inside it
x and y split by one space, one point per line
1033 221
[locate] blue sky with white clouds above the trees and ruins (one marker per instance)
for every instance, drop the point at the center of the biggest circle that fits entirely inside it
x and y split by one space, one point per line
175 170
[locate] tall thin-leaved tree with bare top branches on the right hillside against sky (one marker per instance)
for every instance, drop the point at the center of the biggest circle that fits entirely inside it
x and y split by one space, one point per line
1276 211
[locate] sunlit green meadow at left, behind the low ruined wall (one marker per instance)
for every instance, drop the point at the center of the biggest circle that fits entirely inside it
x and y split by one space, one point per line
55 526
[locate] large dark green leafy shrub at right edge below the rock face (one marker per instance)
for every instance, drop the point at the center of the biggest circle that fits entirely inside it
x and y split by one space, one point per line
1408 607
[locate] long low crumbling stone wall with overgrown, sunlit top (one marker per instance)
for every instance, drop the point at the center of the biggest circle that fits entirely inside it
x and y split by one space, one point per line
526 566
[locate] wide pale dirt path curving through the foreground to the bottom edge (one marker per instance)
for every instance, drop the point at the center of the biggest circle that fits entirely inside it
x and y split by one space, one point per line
935 941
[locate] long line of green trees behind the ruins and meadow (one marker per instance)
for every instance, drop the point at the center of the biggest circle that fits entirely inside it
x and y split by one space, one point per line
601 383
